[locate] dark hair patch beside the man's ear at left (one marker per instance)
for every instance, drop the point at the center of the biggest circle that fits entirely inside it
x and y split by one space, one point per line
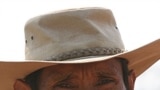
33 79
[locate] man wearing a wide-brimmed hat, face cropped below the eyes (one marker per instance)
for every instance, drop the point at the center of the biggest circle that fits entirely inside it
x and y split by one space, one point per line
77 49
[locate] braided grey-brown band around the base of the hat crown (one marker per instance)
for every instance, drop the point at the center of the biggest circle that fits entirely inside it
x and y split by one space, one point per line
98 51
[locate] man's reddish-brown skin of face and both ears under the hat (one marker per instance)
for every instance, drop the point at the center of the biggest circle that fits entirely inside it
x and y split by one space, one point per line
104 75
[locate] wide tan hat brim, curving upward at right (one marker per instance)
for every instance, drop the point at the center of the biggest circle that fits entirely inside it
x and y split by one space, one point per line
139 60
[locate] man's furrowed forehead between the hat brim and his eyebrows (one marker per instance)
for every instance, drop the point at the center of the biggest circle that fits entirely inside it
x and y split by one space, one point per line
107 66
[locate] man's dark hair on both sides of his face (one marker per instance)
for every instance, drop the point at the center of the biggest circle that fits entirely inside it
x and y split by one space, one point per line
33 79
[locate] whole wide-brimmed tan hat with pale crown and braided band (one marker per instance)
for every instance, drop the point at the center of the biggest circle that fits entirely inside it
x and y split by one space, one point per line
74 36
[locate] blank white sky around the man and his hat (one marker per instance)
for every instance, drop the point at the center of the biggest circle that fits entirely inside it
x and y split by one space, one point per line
137 20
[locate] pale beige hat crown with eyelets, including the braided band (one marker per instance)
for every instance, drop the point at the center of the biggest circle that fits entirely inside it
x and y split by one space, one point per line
72 34
